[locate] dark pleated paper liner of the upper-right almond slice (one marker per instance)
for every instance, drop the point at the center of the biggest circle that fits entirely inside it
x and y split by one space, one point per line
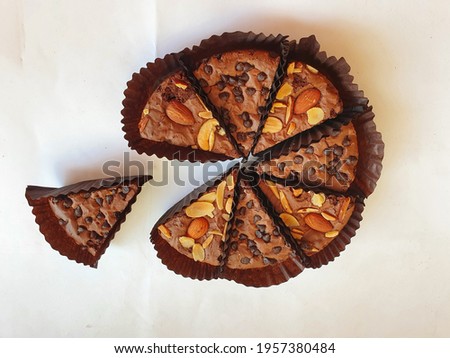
307 50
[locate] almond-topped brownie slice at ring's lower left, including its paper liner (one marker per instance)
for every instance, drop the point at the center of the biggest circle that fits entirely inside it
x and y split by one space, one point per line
190 237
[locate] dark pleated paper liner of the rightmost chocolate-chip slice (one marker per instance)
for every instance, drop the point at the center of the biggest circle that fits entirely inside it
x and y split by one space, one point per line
370 154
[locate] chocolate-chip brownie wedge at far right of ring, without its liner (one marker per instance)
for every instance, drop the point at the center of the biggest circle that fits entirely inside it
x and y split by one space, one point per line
330 162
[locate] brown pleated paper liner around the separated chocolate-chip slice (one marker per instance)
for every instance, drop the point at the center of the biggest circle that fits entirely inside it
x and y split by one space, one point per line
55 235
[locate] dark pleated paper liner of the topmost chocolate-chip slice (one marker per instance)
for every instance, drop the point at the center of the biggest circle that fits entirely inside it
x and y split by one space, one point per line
230 41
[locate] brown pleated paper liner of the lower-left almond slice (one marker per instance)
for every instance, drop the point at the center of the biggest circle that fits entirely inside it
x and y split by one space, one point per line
170 257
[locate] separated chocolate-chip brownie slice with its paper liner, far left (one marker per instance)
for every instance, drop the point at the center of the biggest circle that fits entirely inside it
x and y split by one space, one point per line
80 220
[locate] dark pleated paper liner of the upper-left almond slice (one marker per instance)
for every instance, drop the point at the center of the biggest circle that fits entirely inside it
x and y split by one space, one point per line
138 91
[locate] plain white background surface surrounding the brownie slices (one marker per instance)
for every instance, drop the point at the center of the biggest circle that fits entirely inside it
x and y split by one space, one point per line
63 68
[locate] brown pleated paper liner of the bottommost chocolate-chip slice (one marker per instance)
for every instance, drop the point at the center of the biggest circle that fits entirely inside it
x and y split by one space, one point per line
270 275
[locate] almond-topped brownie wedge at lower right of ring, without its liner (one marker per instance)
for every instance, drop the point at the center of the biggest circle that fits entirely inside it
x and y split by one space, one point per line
313 218
